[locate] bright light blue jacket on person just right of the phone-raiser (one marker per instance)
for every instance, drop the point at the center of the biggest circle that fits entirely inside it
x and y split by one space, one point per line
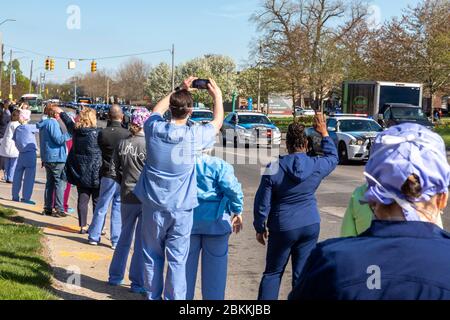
220 195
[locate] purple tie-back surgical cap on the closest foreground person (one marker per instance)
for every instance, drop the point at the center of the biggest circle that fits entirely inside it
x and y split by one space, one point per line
400 152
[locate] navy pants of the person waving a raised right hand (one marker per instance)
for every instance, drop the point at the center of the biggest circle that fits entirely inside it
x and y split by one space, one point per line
297 244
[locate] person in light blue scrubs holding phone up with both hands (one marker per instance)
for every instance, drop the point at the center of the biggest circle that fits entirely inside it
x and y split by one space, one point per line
167 188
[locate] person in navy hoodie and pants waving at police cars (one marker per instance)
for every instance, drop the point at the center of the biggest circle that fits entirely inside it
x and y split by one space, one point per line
286 211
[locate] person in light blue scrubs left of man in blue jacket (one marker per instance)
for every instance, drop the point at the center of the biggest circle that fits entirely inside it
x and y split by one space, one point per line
25 174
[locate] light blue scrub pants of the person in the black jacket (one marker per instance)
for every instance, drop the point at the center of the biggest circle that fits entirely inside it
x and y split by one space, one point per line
109 192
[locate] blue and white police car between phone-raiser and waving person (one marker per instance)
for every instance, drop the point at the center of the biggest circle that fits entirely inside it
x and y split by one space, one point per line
250 128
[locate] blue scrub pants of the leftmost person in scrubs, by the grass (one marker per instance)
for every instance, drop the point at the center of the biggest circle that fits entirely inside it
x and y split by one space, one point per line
24 176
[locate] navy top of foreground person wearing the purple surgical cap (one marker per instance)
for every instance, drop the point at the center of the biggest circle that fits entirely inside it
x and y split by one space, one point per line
411 260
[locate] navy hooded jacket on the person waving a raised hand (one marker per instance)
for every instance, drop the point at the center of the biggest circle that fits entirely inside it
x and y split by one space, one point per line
286 197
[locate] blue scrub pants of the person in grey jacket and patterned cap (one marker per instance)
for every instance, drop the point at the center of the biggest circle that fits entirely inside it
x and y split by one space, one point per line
131 226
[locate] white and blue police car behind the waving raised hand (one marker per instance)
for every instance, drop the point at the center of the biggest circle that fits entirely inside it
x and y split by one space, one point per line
352 134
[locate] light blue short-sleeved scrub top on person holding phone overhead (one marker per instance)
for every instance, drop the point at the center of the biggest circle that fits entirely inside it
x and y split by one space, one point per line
168 180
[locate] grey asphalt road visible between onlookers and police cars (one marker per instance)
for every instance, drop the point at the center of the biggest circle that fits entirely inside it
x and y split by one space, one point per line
247 257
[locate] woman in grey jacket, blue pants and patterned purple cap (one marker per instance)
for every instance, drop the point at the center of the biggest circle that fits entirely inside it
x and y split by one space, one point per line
126 167
